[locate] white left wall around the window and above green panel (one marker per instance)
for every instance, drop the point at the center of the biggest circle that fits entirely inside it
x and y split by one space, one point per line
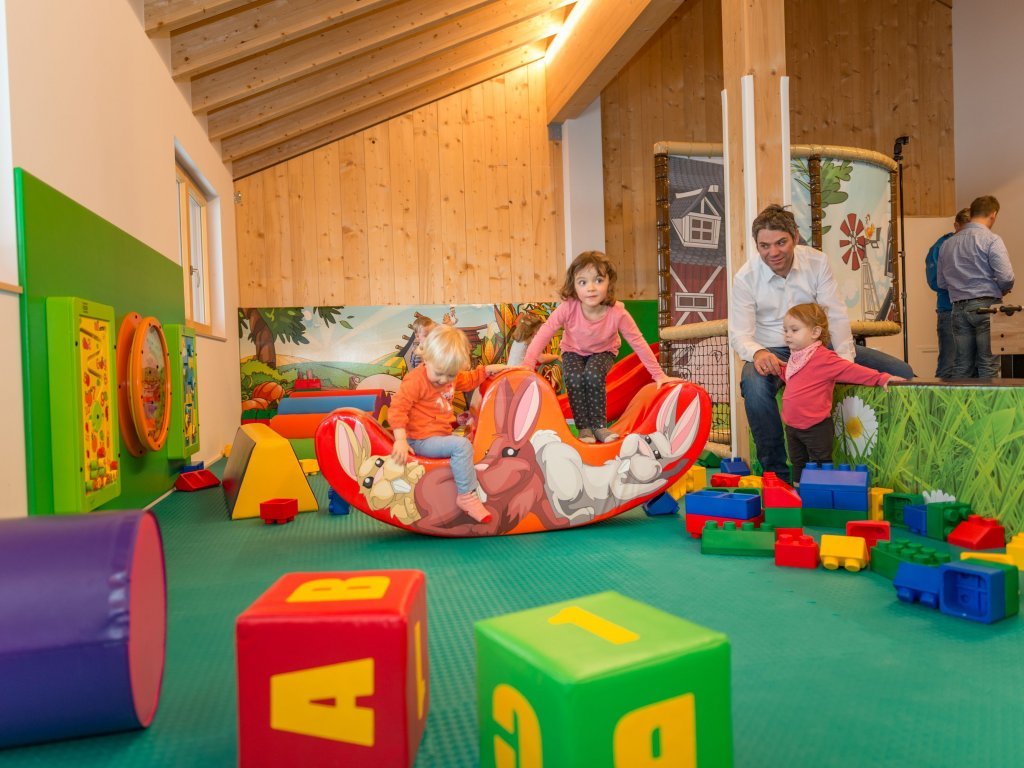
96 115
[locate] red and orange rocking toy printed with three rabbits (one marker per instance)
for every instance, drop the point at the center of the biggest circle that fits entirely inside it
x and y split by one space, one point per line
534 476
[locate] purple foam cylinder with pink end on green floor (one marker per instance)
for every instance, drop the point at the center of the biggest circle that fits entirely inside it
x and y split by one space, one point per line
83 625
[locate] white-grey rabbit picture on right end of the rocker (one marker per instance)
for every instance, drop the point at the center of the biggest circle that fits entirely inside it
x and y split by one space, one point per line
582 492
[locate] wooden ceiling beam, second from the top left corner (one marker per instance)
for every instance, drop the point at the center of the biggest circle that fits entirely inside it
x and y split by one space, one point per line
257 29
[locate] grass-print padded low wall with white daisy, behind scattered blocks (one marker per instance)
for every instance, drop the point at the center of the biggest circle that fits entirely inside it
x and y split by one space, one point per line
966 441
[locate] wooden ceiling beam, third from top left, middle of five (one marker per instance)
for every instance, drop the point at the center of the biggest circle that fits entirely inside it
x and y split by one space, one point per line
332 48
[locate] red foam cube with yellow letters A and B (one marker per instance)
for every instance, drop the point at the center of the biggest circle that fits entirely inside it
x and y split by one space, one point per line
333 670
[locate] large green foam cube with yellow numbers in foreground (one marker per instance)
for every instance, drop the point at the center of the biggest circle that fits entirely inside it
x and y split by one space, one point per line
603 681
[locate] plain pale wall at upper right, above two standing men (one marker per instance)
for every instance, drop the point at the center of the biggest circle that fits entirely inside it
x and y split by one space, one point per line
989 111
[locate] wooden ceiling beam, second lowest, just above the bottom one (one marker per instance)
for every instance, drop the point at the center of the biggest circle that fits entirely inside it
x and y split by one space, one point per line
443 49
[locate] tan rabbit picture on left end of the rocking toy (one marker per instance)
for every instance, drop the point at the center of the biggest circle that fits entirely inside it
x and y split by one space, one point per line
381 481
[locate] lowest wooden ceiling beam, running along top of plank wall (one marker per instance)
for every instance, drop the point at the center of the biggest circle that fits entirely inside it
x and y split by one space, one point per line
398 105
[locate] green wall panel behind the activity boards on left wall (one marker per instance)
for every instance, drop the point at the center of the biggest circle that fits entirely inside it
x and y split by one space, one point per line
66 250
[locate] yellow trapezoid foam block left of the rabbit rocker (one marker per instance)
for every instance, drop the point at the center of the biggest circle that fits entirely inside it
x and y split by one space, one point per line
263 466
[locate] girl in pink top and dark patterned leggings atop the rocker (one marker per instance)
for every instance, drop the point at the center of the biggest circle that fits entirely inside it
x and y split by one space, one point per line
592 321
